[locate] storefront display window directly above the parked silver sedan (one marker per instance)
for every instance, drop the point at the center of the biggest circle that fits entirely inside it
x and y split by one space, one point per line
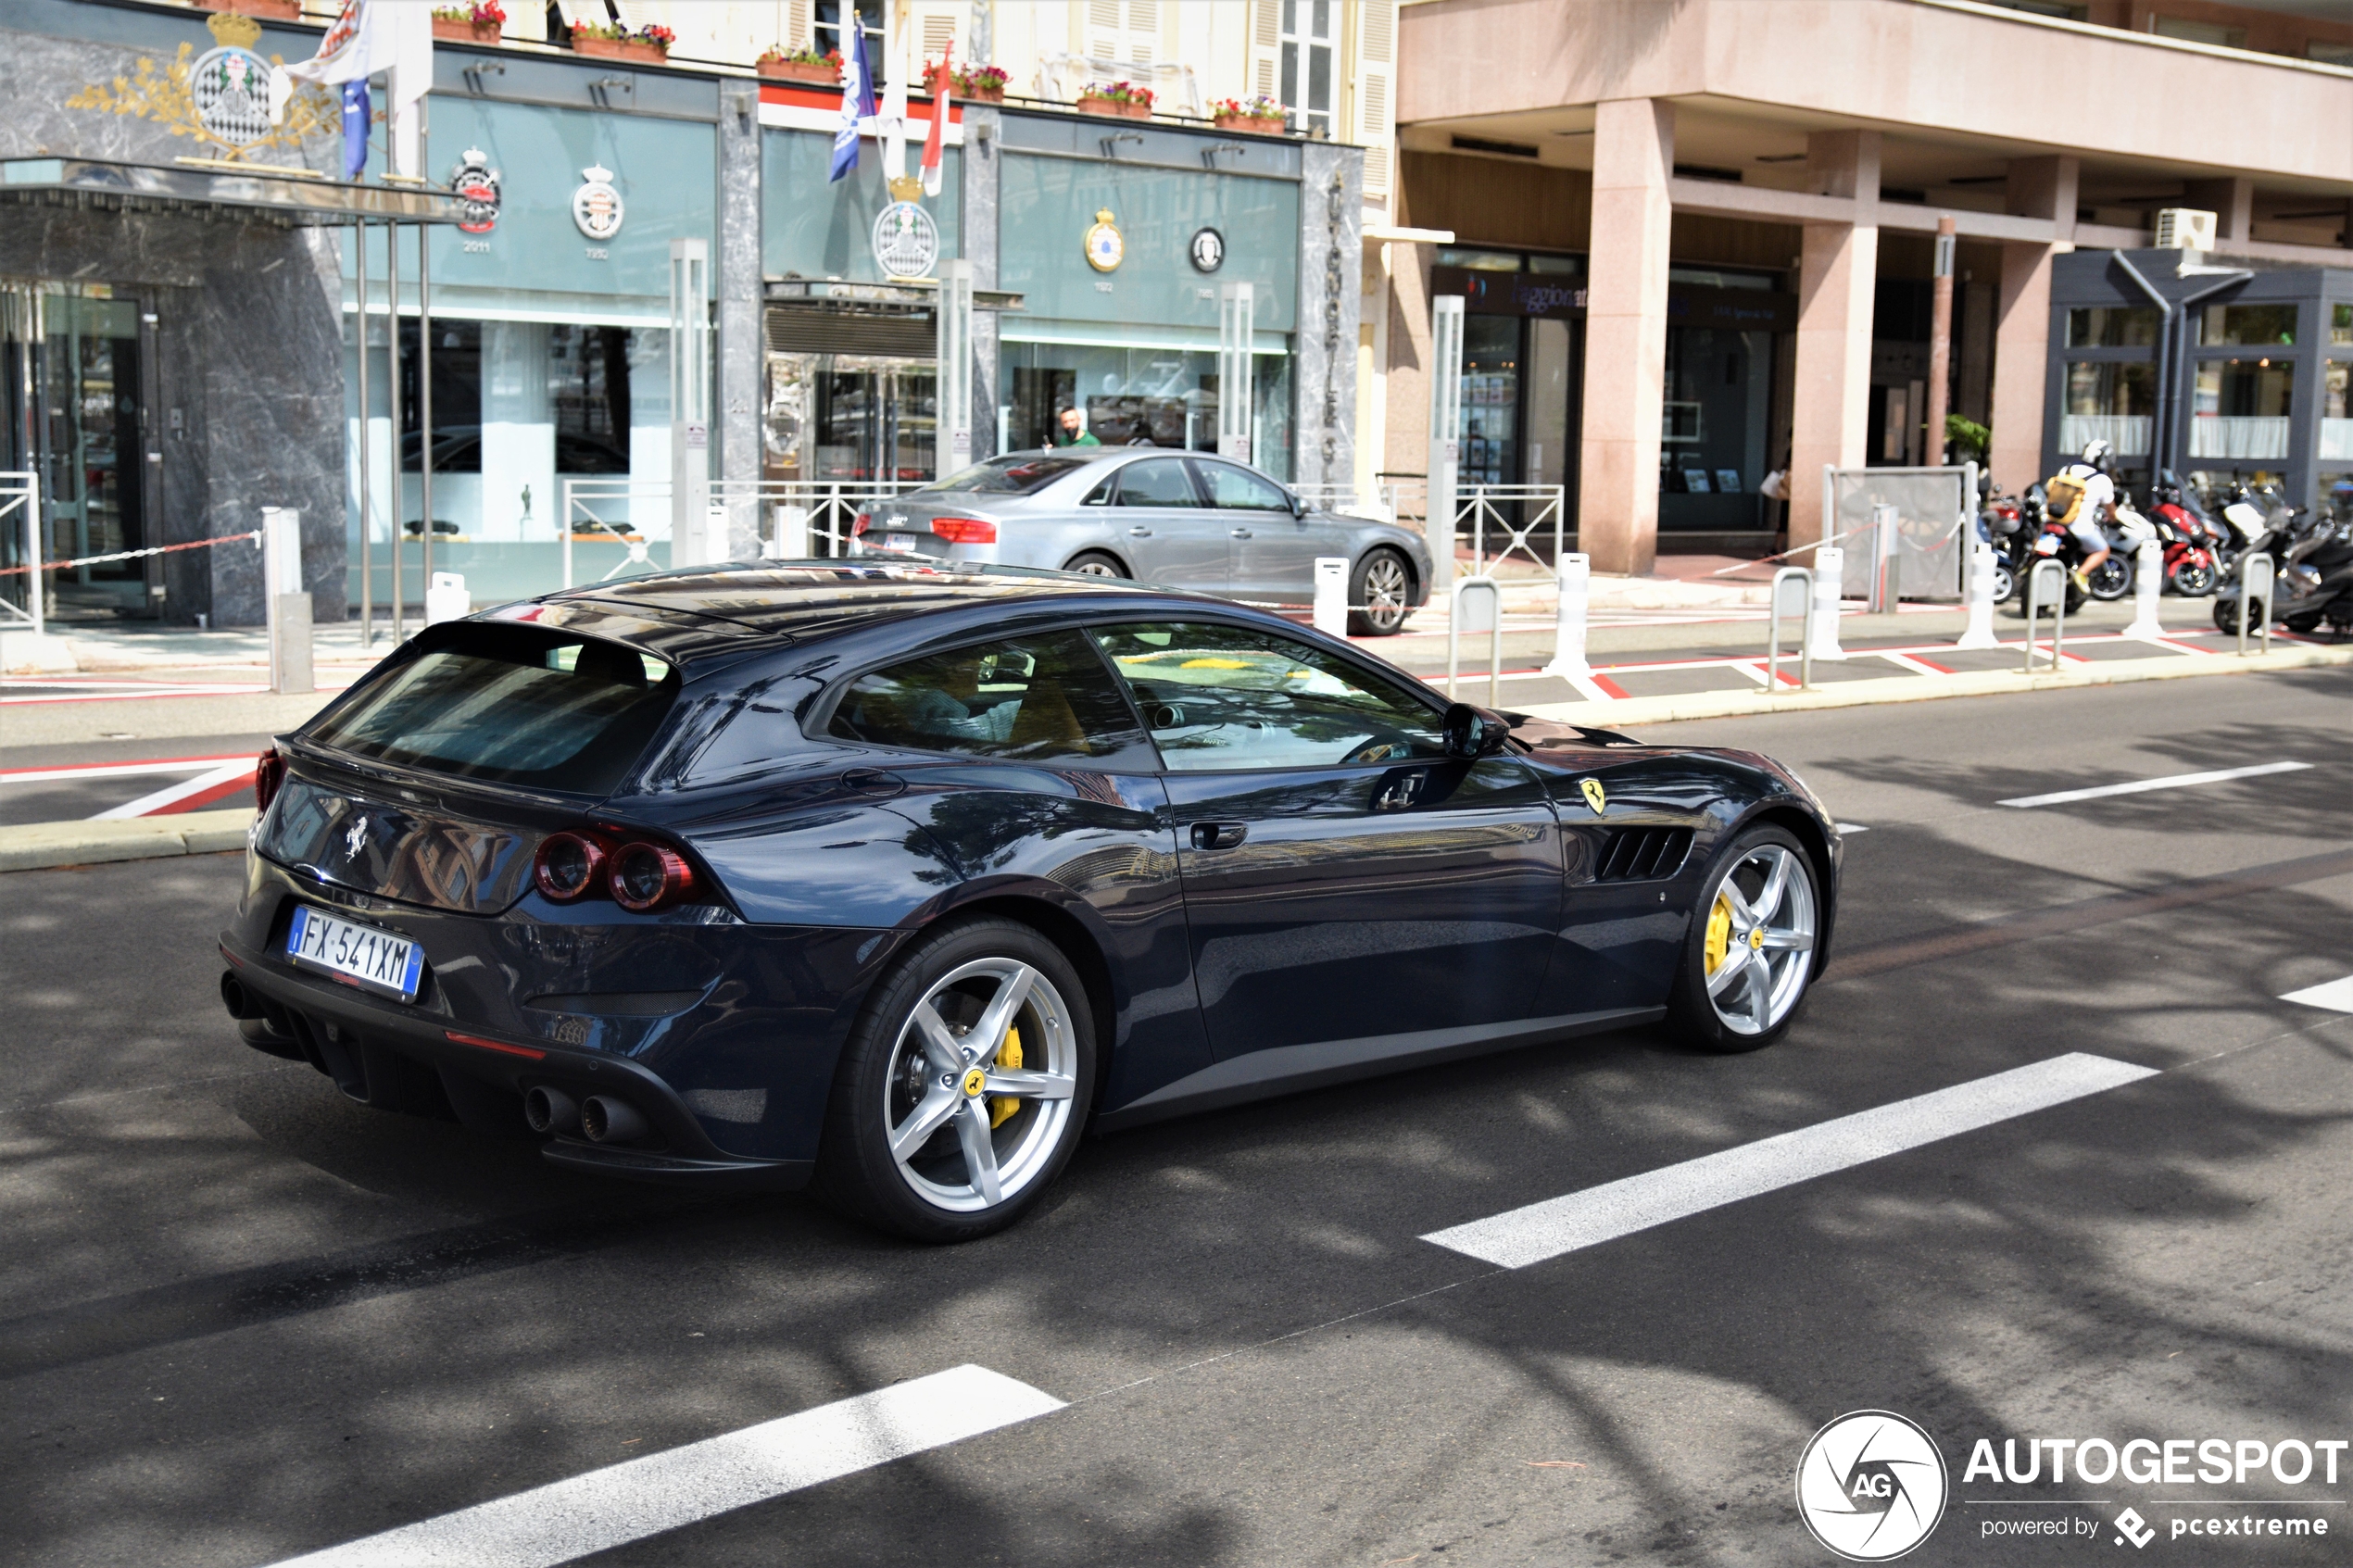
1138 398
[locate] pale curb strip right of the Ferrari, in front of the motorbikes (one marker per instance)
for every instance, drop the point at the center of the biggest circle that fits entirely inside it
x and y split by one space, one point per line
1928 688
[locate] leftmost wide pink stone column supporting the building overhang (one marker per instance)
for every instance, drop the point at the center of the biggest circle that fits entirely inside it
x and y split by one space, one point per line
1618 488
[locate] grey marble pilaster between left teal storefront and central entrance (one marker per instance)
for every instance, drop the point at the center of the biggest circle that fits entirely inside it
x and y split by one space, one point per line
738 279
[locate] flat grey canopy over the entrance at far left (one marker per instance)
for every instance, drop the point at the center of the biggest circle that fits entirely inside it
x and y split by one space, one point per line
262 192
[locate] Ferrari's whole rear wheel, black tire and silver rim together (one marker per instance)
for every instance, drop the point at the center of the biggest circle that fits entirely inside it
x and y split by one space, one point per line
964 1085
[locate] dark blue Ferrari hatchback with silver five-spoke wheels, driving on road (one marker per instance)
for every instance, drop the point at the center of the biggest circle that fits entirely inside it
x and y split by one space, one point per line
898 878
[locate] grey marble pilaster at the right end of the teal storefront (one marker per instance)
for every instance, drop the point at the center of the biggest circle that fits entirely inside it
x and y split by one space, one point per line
1331 302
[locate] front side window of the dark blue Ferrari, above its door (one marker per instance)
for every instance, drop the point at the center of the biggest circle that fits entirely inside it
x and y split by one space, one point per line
1220 697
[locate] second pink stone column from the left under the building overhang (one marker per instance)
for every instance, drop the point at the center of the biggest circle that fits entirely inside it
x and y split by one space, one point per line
1837 279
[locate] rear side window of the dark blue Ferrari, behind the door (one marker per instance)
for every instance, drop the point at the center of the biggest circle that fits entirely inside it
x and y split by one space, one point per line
1027 699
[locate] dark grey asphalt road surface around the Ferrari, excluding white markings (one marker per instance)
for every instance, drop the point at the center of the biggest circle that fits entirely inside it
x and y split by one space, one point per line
244 1318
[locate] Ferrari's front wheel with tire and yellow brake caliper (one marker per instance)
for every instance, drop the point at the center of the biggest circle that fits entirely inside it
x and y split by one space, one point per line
1749 958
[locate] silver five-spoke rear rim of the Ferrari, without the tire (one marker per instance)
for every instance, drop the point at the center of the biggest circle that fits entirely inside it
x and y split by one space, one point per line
980 1085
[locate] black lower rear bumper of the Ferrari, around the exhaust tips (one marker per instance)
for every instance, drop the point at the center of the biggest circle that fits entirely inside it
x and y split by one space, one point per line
392 1057
